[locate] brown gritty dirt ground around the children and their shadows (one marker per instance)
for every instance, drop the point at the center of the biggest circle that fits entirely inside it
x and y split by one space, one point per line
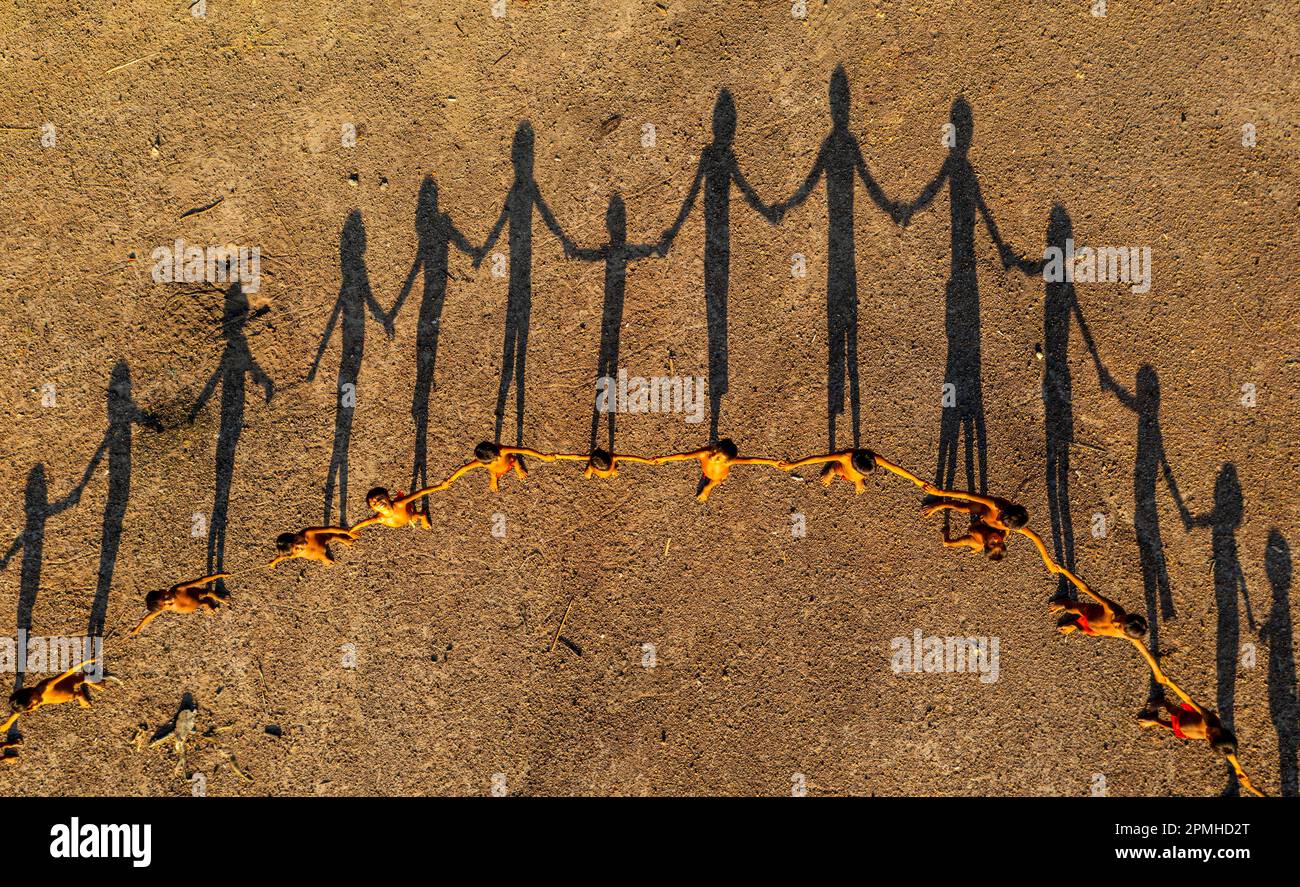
709 650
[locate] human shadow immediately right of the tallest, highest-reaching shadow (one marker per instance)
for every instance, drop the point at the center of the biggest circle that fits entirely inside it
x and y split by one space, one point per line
964 408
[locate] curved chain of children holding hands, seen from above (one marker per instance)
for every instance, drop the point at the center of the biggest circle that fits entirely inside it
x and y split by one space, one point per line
991 522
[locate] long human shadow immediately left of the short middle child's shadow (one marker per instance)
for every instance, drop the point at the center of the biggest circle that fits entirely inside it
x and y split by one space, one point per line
523 198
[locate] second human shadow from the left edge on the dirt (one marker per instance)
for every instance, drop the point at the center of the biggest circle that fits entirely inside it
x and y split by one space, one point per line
123 413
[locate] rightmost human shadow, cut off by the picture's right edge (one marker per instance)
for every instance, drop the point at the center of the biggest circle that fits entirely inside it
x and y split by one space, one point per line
1284 703
